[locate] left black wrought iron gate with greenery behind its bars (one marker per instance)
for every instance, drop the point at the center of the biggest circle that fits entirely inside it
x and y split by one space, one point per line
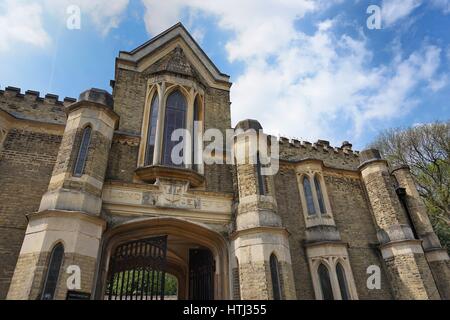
137 270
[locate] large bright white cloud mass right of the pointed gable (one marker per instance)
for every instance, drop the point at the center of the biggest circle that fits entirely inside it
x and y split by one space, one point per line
317 81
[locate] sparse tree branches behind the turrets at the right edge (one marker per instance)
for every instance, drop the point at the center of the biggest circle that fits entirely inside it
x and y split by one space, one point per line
425 149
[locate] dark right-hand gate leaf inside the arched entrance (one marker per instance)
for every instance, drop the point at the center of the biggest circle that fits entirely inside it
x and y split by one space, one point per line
201 274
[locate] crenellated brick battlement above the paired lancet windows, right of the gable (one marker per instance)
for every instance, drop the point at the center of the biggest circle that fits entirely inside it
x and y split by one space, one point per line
344 157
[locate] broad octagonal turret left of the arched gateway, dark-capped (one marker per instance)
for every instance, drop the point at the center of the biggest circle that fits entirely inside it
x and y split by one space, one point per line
70 210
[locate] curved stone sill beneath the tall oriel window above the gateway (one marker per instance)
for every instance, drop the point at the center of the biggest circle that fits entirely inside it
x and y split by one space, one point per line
151 173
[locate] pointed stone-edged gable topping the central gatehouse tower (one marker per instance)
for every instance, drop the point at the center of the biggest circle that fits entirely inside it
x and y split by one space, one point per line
174 51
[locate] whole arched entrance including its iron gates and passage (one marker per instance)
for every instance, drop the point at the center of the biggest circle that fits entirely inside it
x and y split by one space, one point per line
137 255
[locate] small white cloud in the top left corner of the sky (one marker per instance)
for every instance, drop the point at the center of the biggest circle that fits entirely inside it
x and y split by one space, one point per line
21 22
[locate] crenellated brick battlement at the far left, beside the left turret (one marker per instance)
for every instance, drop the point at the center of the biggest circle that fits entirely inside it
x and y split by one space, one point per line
31 106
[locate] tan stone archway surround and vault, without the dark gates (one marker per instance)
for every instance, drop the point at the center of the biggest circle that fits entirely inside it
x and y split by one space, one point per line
182 237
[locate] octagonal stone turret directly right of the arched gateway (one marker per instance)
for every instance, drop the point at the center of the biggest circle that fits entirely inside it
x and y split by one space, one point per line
259 232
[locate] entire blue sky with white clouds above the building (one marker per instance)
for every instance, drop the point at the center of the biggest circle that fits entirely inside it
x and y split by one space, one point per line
306 69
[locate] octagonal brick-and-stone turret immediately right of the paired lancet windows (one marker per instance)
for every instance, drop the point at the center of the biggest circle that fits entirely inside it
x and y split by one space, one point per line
405 261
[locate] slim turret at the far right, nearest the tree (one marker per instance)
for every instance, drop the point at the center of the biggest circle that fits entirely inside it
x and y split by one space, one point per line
437 256
